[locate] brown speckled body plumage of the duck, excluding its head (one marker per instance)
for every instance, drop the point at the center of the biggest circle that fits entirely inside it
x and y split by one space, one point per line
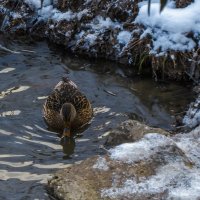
66 91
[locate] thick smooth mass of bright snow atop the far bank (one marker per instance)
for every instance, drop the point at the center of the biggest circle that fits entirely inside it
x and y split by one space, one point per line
170 27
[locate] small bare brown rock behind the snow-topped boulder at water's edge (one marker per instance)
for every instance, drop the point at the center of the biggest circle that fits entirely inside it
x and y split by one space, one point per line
131 131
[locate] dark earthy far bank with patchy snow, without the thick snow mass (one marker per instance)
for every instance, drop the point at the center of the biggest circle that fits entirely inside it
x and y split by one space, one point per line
101 28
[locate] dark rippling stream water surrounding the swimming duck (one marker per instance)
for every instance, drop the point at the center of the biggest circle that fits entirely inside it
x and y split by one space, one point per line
29 153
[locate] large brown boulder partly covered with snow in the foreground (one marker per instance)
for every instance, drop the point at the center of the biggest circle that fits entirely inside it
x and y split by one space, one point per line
154 167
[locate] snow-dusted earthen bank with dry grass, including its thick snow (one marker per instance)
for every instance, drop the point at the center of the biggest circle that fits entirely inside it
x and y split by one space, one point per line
116 30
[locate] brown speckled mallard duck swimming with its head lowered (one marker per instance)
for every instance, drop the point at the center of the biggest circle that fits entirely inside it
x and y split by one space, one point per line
67 109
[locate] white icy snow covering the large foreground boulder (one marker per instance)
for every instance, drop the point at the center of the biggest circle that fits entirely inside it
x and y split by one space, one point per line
175 177
